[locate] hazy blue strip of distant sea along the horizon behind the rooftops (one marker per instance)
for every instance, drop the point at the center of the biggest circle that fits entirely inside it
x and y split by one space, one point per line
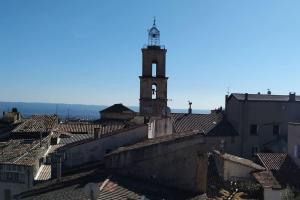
75 111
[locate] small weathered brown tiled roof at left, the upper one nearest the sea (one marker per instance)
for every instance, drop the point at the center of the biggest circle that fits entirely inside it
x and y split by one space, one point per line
37 124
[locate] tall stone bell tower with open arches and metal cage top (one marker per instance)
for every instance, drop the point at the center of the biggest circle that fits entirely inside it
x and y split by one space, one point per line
153 82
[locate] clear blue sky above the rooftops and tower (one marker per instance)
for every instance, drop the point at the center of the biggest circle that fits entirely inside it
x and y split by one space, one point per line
88 51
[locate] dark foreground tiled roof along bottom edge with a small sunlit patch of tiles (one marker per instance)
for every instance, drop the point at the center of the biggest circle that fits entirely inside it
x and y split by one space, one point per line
109 187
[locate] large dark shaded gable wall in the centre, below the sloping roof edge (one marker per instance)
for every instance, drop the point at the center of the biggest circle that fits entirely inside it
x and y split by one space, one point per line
181 162
